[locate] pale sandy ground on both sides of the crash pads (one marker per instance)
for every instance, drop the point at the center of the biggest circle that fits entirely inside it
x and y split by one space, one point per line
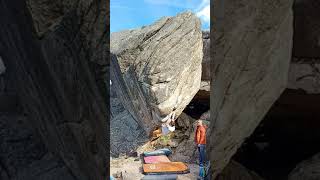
131 169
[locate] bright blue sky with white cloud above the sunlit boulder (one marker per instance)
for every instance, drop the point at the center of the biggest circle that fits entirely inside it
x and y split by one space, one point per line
129 14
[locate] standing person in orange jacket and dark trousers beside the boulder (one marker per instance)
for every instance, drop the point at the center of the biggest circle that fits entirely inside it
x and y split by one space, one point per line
200 140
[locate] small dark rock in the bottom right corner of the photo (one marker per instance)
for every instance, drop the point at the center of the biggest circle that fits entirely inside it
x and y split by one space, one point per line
307 170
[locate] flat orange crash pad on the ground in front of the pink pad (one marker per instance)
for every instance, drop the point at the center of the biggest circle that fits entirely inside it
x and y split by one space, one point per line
166 168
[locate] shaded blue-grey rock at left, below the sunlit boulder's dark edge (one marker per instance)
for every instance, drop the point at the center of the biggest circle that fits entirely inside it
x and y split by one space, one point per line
126 132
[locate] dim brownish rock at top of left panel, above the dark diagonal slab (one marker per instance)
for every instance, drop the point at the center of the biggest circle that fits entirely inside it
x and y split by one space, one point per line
88 18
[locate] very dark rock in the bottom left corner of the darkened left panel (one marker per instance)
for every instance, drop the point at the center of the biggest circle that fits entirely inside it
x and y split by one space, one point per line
24 155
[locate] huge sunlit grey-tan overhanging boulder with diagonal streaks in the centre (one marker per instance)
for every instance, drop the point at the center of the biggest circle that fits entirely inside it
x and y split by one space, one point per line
160 65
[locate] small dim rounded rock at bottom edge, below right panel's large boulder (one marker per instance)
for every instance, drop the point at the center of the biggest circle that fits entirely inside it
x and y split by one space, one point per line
234 170
